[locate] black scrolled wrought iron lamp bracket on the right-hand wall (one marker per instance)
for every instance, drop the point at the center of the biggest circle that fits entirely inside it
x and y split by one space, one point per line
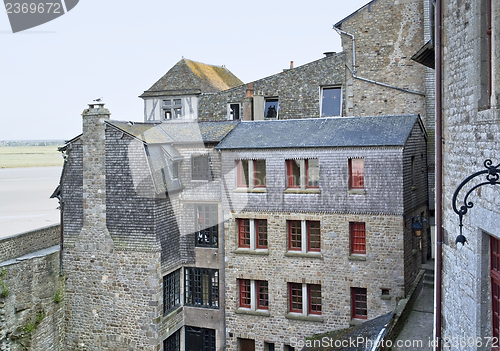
492 177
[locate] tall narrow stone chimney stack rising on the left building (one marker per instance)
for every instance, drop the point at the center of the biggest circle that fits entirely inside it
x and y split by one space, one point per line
94 165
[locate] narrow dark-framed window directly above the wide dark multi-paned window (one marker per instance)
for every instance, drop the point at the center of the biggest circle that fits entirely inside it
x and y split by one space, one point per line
206 225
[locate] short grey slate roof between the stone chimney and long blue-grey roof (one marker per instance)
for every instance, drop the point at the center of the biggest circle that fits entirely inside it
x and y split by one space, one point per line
177 132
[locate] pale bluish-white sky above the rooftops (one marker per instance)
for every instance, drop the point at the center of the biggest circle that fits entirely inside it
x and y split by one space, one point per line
118 49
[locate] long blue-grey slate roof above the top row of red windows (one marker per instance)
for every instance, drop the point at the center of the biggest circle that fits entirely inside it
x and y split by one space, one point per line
321 132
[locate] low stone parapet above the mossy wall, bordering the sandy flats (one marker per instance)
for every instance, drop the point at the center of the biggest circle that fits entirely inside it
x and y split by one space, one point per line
25 243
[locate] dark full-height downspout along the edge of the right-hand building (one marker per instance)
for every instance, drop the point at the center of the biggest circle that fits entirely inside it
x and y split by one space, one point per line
439 175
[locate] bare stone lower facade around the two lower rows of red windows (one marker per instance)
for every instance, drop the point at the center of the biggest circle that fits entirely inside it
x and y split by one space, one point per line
334 269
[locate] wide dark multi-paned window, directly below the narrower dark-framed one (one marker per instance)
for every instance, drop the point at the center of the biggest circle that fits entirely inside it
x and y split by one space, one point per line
202 287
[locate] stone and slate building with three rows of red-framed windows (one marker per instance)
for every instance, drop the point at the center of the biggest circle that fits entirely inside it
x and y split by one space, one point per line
319 229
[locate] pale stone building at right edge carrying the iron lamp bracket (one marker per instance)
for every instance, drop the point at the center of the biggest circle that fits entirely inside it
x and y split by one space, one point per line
471 129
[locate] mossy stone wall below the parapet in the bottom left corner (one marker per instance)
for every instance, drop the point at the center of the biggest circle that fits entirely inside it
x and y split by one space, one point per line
32 303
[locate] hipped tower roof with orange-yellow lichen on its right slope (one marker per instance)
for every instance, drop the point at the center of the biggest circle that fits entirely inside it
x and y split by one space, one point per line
190 78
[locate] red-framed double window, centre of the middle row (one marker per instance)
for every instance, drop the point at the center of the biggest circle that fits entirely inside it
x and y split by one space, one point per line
312 236
